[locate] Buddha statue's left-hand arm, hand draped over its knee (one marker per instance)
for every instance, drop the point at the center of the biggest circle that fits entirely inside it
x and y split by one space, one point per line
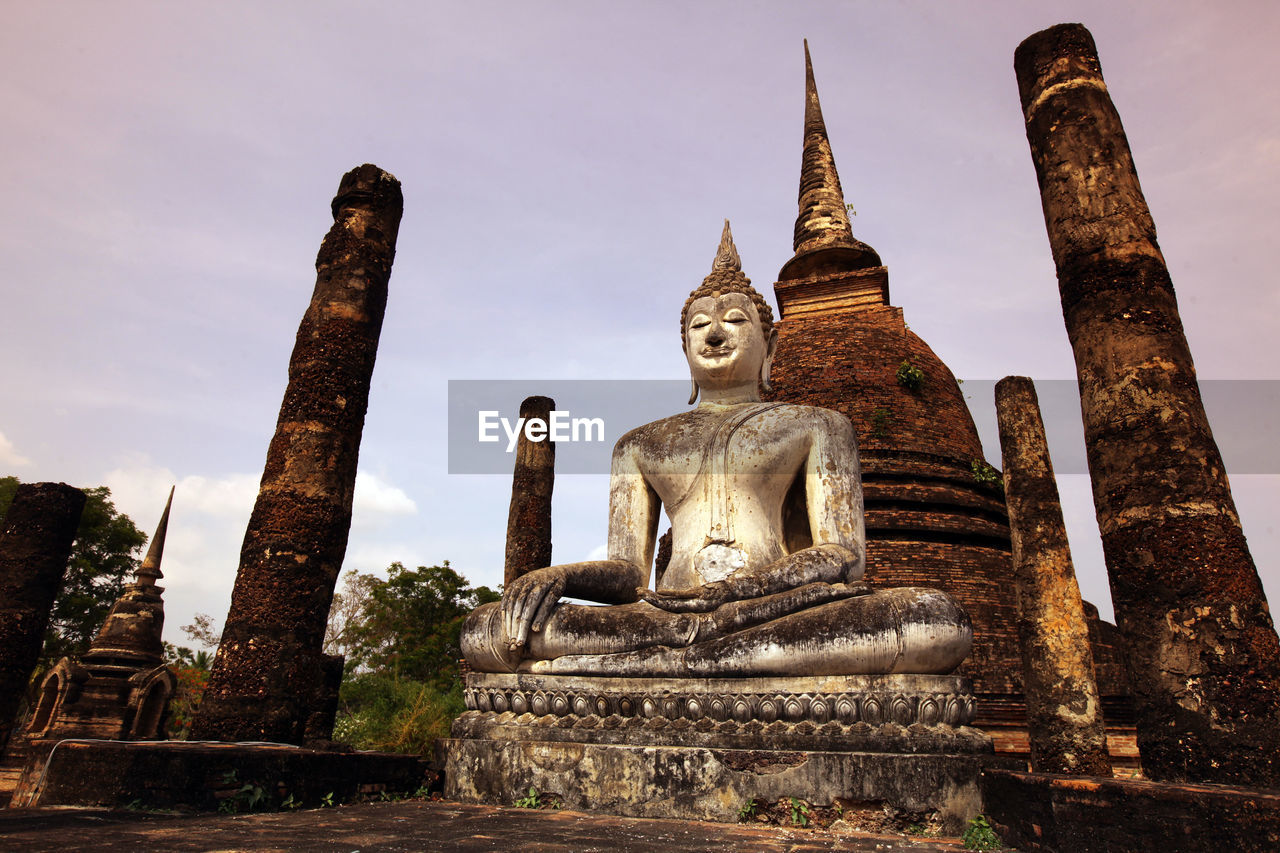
634 509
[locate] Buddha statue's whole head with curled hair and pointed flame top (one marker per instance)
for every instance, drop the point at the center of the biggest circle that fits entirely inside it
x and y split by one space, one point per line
728 329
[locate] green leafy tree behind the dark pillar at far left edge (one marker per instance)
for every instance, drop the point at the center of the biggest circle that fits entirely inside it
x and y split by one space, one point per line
104 558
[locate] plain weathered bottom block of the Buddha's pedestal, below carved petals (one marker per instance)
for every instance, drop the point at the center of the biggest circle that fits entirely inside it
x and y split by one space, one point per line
710 784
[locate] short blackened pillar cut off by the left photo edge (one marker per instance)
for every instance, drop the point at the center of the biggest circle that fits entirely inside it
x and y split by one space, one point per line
35 542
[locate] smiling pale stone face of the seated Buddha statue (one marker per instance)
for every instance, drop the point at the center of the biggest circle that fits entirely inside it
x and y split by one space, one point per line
725 341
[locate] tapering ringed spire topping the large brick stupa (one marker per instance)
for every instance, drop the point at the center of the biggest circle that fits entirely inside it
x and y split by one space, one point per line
824 236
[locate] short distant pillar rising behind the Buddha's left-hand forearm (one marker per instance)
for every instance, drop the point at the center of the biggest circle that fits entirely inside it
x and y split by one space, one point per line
529 523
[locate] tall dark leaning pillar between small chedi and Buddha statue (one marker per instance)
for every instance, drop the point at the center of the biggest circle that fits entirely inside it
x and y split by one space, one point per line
271 677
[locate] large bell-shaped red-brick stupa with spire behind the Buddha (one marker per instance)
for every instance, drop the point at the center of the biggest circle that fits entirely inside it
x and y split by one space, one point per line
935 512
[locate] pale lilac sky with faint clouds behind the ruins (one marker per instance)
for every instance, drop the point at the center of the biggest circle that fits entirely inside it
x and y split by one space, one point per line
566 171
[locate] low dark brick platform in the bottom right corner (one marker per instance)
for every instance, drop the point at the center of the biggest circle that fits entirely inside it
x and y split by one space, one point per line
1048 814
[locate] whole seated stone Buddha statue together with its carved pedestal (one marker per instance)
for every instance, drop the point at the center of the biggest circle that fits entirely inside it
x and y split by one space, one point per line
757 640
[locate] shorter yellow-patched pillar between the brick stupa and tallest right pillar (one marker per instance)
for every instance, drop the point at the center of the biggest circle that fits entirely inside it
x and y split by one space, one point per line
1064 713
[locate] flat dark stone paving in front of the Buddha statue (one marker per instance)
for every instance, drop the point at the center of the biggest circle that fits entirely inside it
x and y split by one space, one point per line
422 825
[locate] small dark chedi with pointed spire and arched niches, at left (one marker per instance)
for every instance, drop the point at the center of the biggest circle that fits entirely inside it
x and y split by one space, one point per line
121 688
